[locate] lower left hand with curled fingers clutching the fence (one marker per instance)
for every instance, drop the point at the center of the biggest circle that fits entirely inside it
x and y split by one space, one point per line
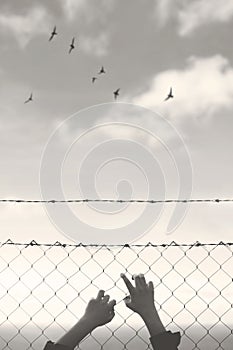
100 310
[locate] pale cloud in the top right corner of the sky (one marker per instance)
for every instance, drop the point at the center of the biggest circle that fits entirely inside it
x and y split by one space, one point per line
191 15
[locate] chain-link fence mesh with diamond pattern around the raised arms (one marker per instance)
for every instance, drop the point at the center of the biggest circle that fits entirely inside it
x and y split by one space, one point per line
44 289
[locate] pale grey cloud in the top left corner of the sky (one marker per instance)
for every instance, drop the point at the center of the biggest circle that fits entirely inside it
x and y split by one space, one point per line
25 27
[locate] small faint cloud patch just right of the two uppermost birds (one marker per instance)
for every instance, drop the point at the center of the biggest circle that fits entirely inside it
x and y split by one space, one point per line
97 46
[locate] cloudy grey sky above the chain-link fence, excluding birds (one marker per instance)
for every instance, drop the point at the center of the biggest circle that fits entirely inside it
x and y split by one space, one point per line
75 141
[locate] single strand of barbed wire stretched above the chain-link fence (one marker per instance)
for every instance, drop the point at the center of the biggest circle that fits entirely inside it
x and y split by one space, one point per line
151 201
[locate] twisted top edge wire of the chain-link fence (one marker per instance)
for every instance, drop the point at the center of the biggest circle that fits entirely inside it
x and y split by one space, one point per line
149 244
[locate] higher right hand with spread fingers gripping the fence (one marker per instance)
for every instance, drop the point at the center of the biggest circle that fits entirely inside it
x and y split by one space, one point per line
141 298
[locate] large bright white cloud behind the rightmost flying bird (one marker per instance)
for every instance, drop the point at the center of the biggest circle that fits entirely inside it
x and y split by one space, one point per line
202 88
